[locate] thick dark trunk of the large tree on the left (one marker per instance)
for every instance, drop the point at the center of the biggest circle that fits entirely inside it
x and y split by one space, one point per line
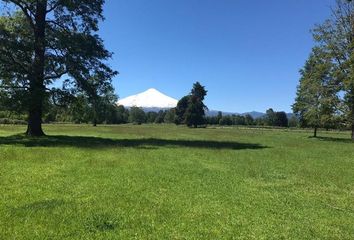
37 89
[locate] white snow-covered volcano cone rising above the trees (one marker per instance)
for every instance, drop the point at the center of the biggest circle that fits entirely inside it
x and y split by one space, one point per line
151 98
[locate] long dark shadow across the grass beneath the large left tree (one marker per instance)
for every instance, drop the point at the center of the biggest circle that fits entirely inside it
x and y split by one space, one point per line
98 142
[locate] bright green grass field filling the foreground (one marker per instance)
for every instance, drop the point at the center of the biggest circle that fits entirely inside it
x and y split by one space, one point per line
168 182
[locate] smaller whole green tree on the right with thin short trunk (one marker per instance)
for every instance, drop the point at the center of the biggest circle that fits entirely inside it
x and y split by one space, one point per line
316 98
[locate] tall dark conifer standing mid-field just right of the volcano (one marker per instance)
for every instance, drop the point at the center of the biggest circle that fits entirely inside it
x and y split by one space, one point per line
195 112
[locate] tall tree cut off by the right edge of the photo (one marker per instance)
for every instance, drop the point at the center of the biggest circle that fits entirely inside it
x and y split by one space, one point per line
336 35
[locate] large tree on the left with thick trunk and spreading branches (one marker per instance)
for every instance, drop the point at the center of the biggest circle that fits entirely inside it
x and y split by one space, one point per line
47 40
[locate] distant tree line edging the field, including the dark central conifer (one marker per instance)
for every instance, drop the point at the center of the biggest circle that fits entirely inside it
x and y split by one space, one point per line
190 111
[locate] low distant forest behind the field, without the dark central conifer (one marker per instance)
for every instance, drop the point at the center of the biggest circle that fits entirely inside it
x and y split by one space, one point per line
79 112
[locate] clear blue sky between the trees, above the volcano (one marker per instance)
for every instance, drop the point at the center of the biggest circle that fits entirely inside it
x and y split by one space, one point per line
246 53
